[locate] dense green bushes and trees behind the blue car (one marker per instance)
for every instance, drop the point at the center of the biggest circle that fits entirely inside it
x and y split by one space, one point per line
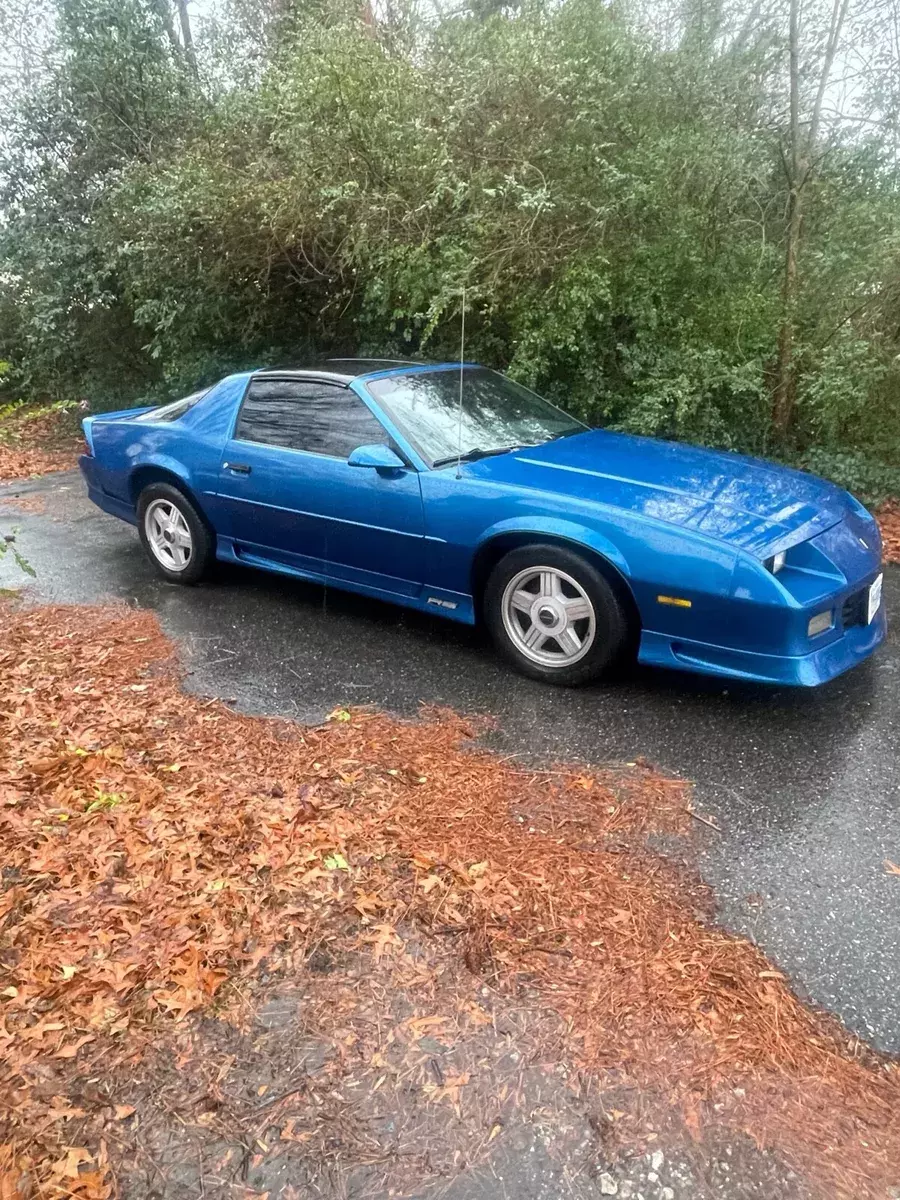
611 185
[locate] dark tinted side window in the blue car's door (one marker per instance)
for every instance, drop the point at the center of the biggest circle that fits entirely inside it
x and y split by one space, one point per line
307 416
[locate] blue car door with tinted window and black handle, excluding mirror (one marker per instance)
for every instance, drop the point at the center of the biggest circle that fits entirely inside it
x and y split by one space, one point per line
293 497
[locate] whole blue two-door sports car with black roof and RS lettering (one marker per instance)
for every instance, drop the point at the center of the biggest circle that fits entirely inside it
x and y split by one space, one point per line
454 490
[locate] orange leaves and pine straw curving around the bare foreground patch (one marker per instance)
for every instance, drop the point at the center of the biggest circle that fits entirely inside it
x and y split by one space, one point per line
160 847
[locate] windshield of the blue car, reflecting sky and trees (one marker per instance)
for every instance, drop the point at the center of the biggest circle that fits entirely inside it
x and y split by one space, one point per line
496 415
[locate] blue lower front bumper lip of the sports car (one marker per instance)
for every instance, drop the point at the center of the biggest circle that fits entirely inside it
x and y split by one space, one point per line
856 645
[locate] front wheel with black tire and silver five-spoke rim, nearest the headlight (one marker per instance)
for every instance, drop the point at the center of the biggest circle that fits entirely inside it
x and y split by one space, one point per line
539 591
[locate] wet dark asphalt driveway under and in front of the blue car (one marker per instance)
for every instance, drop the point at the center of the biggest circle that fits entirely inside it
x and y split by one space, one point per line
803 785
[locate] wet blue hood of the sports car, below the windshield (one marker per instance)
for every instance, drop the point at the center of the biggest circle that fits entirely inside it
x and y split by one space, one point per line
757 506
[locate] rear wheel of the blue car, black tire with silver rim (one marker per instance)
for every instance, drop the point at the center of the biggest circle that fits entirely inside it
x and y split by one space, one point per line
172 531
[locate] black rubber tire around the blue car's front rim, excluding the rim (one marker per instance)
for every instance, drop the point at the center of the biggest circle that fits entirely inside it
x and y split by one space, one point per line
613 626
